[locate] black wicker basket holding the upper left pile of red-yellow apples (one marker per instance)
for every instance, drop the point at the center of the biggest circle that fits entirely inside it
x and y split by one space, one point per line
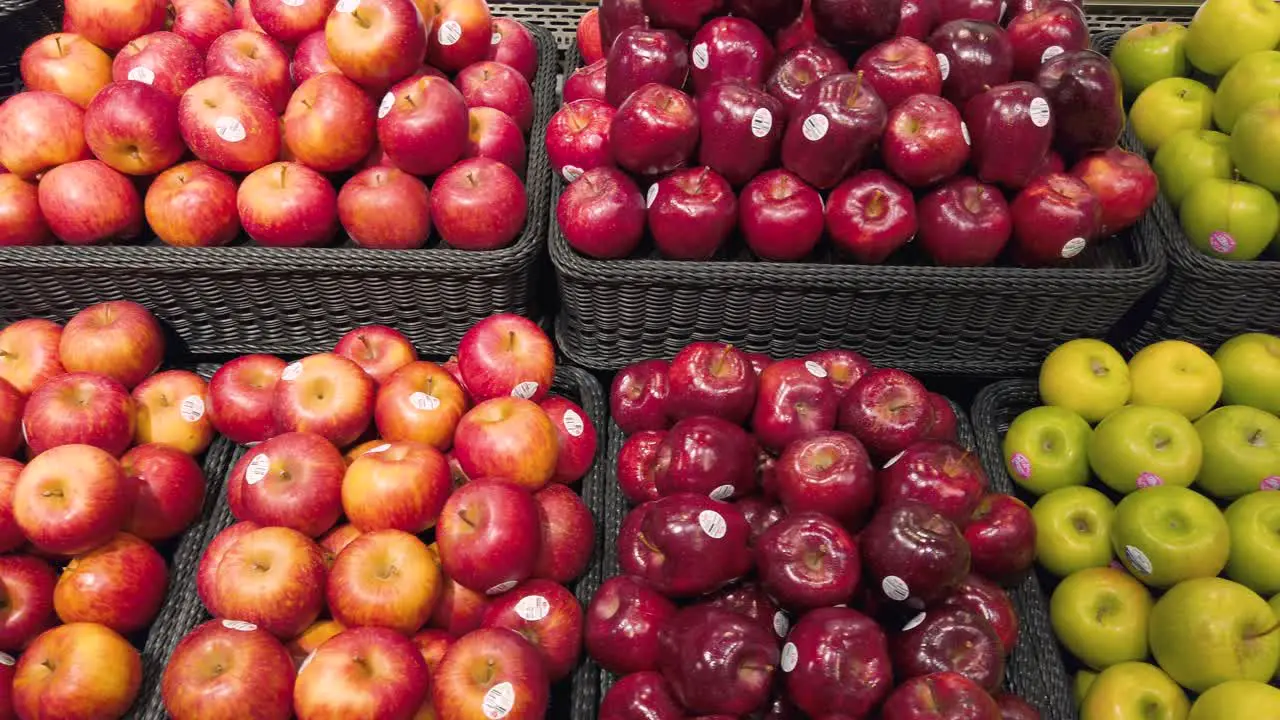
245 298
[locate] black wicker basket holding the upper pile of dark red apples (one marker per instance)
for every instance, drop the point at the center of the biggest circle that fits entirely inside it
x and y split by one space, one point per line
998 321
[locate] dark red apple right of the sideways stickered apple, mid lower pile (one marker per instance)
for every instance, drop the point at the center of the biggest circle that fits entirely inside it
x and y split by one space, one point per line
807 560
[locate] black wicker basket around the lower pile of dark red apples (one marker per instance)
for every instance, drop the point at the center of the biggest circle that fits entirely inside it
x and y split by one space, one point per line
1032 673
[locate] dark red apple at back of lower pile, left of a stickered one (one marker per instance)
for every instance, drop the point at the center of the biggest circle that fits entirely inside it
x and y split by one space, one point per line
711 379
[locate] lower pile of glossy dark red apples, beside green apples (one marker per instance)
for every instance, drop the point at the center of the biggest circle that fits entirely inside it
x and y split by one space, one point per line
807 540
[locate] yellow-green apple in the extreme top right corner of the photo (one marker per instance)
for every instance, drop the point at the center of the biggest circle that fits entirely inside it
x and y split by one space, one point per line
1224 31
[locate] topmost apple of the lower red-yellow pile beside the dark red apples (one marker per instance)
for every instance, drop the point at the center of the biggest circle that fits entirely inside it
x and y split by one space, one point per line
508 356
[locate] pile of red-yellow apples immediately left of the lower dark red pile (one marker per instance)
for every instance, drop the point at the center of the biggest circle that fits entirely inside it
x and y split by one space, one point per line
405 535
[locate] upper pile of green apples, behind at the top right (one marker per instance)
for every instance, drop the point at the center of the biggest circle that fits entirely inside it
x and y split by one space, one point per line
1222 72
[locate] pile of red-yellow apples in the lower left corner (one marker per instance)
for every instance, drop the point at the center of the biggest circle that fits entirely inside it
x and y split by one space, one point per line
111 470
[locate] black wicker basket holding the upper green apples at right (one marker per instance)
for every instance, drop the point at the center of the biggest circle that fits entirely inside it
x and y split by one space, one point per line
1204 300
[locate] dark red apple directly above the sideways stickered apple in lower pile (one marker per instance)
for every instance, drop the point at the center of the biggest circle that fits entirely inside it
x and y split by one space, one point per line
706 455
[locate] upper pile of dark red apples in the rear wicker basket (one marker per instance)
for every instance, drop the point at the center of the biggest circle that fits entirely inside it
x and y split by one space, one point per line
985 131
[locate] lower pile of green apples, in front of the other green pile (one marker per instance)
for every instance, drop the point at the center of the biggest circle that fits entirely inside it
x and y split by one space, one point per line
1159 590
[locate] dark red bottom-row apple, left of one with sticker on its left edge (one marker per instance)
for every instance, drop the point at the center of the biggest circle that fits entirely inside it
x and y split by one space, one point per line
717 663
